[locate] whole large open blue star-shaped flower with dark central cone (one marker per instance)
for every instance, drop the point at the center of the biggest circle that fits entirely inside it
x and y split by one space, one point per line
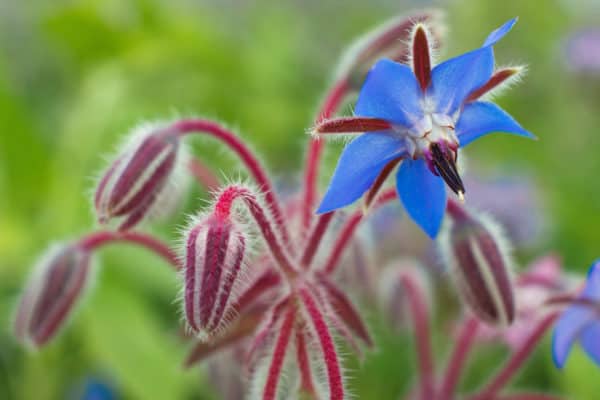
431 112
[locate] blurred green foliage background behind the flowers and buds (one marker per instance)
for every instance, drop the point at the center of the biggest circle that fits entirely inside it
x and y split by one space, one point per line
76 75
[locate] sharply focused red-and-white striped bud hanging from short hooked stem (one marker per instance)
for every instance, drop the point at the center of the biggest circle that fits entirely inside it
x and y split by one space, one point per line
214 260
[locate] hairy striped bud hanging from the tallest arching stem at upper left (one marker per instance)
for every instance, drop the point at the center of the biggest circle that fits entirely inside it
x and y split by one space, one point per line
143 180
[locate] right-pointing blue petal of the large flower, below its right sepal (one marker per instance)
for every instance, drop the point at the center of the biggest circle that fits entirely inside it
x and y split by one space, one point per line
480 118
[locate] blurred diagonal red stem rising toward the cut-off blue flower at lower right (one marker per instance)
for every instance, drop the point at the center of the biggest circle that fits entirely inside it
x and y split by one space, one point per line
516 360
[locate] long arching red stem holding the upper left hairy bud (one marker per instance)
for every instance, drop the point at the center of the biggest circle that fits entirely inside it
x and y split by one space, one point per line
190 126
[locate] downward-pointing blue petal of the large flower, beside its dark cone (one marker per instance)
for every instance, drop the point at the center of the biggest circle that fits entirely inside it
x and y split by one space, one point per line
423 195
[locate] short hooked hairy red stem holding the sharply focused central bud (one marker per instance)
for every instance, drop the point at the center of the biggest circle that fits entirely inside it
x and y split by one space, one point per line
223 207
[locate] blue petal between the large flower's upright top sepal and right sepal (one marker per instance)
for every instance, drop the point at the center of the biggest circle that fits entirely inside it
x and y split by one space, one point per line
453 80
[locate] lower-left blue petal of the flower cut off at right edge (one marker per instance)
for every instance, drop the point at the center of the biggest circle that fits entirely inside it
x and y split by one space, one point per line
567 331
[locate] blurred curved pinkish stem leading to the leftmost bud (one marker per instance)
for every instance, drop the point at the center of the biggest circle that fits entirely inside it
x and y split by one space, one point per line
95 240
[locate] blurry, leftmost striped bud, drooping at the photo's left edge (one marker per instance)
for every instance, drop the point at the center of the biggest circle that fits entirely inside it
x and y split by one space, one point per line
51 294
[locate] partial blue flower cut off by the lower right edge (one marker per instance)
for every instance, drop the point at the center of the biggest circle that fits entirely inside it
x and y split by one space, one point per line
581 321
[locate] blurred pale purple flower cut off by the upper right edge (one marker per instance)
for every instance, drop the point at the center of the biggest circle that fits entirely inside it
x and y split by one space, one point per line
582 51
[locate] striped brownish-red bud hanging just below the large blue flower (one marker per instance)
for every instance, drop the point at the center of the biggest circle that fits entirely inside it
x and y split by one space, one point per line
474 250
